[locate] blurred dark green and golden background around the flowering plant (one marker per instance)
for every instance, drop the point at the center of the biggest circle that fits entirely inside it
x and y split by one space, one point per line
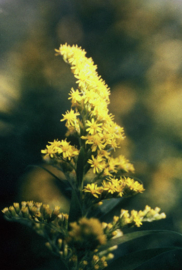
137 46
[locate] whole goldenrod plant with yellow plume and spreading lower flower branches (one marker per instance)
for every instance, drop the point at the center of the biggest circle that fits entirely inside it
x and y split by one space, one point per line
93 176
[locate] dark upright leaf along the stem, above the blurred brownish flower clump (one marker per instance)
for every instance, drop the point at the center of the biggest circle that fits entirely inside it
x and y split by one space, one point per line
75 207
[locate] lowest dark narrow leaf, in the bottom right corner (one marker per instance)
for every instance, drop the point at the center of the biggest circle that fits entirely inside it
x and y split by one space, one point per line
136 259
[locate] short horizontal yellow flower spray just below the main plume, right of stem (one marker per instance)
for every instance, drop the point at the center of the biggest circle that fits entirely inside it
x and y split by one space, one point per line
114 188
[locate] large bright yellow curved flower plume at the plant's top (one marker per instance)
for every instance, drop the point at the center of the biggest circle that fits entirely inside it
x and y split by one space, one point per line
90 118
